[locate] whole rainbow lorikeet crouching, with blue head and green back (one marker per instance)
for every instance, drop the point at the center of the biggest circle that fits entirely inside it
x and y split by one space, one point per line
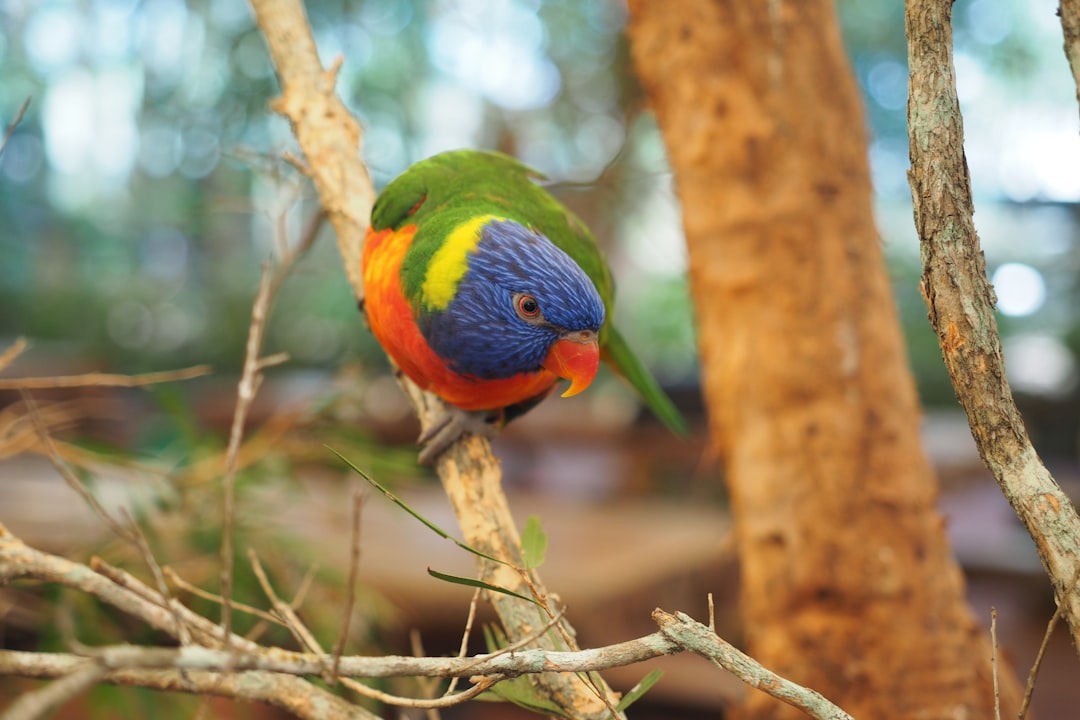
487 292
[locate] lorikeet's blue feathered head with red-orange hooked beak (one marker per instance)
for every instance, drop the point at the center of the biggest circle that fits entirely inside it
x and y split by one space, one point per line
520 297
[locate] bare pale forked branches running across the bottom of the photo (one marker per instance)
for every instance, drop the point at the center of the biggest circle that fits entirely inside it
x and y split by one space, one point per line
212 662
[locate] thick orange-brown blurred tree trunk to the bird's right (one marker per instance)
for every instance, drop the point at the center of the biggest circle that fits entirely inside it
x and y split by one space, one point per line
849 586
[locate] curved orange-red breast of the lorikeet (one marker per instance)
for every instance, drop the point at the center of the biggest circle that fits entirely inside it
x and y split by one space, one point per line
395 327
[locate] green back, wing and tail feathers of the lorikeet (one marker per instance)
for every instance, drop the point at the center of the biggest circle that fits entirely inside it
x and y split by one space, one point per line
440 194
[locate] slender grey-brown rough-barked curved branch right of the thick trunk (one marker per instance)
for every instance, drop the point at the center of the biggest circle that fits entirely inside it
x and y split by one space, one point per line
961 302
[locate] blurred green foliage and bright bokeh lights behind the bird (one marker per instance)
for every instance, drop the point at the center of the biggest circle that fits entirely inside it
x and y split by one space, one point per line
145 185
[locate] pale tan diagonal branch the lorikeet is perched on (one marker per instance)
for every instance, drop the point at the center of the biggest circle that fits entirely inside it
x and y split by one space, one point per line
331 141
